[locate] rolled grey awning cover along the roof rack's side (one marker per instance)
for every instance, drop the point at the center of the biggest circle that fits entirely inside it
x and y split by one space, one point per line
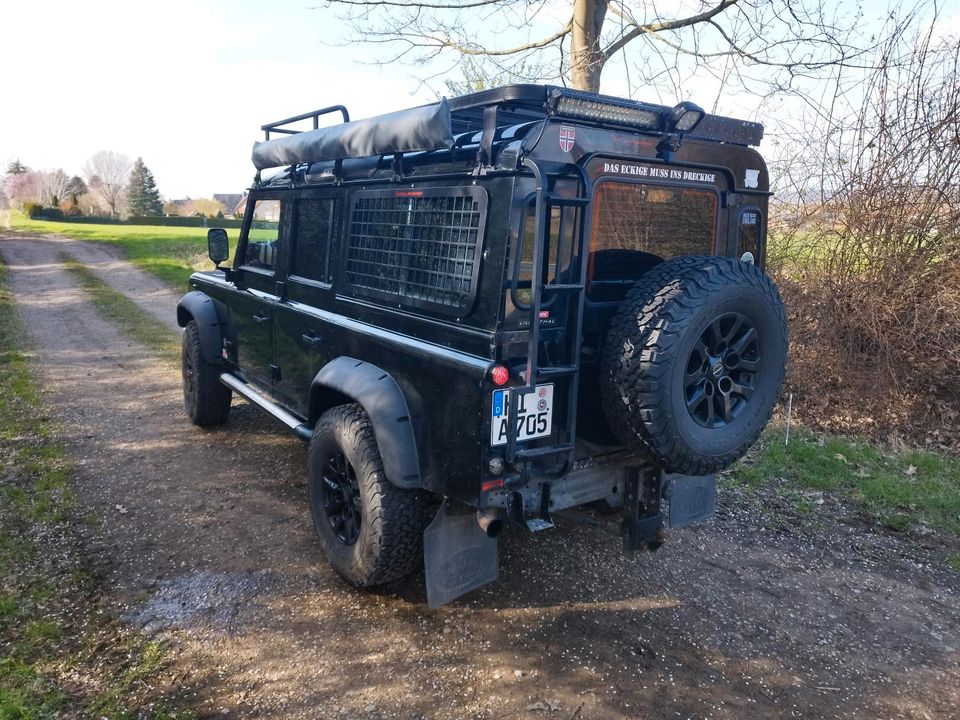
423 128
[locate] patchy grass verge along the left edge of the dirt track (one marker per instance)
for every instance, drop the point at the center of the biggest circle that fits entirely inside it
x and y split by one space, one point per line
60 656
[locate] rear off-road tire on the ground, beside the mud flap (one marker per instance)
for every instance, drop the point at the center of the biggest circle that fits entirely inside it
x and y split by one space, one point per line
390 541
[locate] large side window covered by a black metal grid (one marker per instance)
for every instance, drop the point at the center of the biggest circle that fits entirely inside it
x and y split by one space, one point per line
419 248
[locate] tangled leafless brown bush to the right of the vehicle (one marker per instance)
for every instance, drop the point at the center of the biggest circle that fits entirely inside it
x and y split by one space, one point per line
871 268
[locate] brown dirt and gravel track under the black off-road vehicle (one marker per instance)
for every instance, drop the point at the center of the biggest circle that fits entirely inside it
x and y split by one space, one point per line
206 542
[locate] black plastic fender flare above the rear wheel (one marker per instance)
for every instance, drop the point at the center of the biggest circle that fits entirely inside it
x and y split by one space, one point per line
380 396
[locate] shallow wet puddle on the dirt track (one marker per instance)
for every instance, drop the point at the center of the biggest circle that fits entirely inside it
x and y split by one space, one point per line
217 600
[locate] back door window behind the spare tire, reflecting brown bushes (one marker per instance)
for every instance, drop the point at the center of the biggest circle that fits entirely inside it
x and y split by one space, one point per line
638 225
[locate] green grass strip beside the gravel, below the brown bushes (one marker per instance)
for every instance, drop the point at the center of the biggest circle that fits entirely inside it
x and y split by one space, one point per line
903 490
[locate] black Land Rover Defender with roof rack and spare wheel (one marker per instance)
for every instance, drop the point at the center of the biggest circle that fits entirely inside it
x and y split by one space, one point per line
517 301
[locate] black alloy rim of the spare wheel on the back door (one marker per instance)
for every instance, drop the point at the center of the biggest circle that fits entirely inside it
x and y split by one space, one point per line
720 372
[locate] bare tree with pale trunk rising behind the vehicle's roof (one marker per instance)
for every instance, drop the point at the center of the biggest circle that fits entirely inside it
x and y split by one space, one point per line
785 40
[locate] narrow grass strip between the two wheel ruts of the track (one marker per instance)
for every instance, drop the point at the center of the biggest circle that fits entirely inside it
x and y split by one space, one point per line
125 314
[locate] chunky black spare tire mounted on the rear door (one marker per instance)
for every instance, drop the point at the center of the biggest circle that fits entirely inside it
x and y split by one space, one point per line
650 346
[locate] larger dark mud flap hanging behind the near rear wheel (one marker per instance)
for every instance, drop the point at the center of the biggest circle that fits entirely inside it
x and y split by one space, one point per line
457 554
